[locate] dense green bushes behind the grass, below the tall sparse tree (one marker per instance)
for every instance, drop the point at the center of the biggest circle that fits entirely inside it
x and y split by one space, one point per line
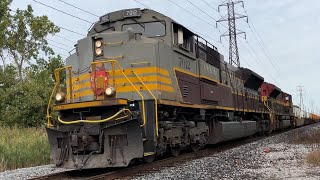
25 102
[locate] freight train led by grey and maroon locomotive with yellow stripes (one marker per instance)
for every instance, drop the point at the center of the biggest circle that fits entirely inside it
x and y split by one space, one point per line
141 85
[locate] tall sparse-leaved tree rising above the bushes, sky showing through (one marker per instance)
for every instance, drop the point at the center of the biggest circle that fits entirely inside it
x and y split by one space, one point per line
27 37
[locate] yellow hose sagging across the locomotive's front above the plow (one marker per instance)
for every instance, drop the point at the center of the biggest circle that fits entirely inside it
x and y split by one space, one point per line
98 121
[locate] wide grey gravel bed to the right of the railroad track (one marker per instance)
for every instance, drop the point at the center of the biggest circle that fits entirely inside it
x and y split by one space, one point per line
270 158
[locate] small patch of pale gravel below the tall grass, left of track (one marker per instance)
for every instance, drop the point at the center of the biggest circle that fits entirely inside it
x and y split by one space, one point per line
28 173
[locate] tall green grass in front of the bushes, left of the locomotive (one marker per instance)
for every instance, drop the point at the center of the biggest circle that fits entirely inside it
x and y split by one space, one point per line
23 147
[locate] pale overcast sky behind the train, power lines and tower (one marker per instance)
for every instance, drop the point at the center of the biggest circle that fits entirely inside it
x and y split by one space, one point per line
281 37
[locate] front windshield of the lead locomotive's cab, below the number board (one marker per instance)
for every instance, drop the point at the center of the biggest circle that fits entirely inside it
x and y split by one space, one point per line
147 29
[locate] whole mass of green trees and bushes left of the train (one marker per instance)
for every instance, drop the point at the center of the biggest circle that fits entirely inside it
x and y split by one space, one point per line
27 66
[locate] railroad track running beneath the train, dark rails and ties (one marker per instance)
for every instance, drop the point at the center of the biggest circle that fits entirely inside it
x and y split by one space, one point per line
141 168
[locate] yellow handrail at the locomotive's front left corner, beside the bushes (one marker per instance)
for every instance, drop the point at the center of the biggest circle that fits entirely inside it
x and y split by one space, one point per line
57 77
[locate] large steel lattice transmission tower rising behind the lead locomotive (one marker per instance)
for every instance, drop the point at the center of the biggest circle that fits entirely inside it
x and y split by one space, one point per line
231 17
